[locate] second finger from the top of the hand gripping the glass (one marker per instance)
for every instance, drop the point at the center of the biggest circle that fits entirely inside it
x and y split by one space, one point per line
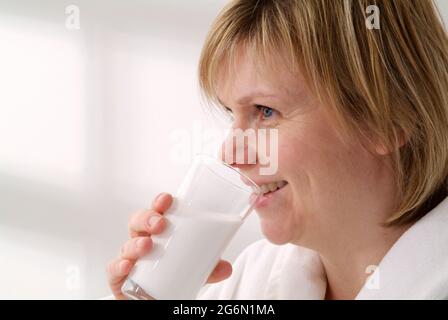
146 222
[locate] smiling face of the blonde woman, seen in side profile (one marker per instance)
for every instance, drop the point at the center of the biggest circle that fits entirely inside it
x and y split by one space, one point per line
332 187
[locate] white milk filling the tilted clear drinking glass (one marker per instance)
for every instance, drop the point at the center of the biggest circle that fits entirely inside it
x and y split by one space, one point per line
185 254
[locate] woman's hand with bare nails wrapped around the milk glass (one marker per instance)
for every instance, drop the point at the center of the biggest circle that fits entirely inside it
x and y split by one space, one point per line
142 225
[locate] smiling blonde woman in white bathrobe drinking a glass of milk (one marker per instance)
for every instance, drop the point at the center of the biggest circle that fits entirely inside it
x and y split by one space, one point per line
362 120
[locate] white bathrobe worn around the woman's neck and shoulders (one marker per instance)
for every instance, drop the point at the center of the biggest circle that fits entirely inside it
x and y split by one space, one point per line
416 267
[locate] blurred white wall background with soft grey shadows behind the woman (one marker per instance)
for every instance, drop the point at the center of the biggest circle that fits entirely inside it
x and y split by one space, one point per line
86 132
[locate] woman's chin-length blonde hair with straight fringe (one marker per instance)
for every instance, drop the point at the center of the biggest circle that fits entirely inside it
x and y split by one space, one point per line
389 84
